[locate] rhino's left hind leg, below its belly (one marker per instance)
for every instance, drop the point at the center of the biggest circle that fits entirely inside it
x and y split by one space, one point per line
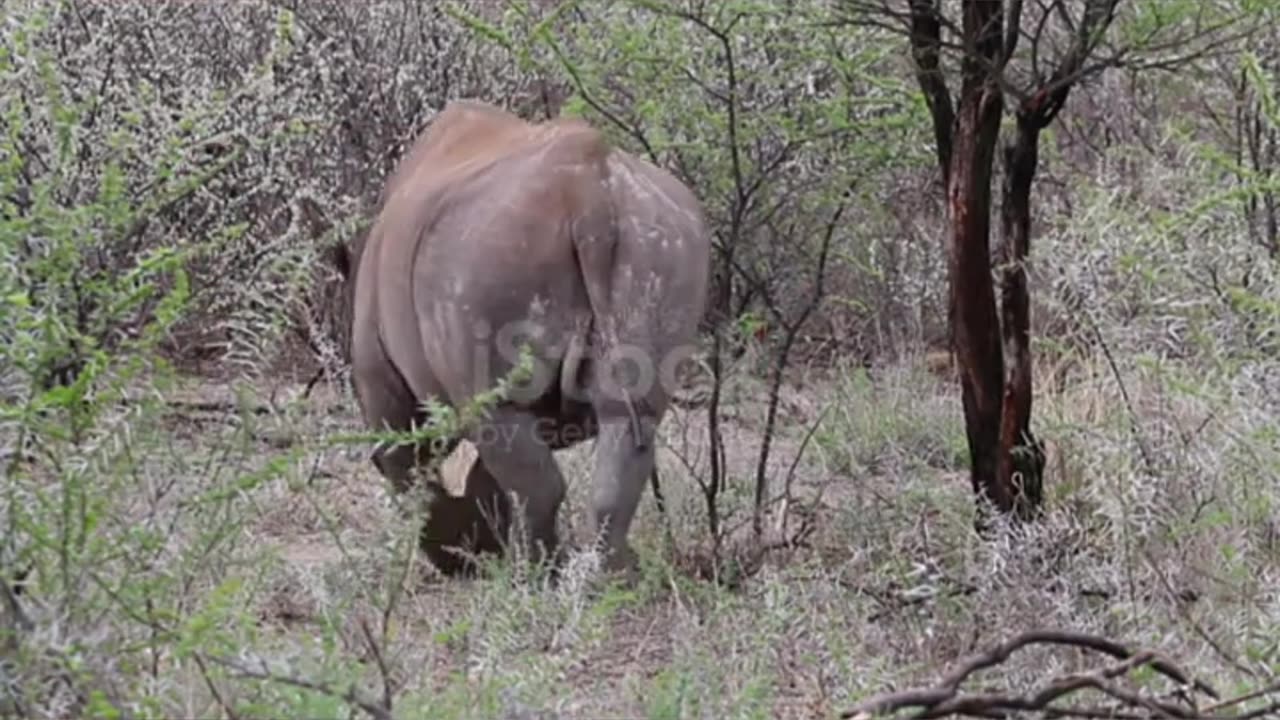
511 448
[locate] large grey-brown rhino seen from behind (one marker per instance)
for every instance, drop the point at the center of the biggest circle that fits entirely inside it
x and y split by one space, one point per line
495 233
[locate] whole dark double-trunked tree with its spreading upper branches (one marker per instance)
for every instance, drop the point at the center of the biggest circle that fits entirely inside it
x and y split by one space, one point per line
1025 63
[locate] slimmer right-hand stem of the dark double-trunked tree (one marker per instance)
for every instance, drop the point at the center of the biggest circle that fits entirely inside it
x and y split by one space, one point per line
1022 459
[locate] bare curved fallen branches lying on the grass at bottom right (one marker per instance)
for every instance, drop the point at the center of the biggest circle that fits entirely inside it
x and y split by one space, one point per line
947 700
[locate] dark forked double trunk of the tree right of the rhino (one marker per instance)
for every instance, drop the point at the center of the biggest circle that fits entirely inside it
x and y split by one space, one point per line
1007 461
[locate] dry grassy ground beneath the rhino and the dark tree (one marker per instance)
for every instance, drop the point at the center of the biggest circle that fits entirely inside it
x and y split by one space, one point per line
895 586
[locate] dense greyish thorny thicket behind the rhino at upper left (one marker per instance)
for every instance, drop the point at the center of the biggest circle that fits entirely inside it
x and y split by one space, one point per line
284 108
